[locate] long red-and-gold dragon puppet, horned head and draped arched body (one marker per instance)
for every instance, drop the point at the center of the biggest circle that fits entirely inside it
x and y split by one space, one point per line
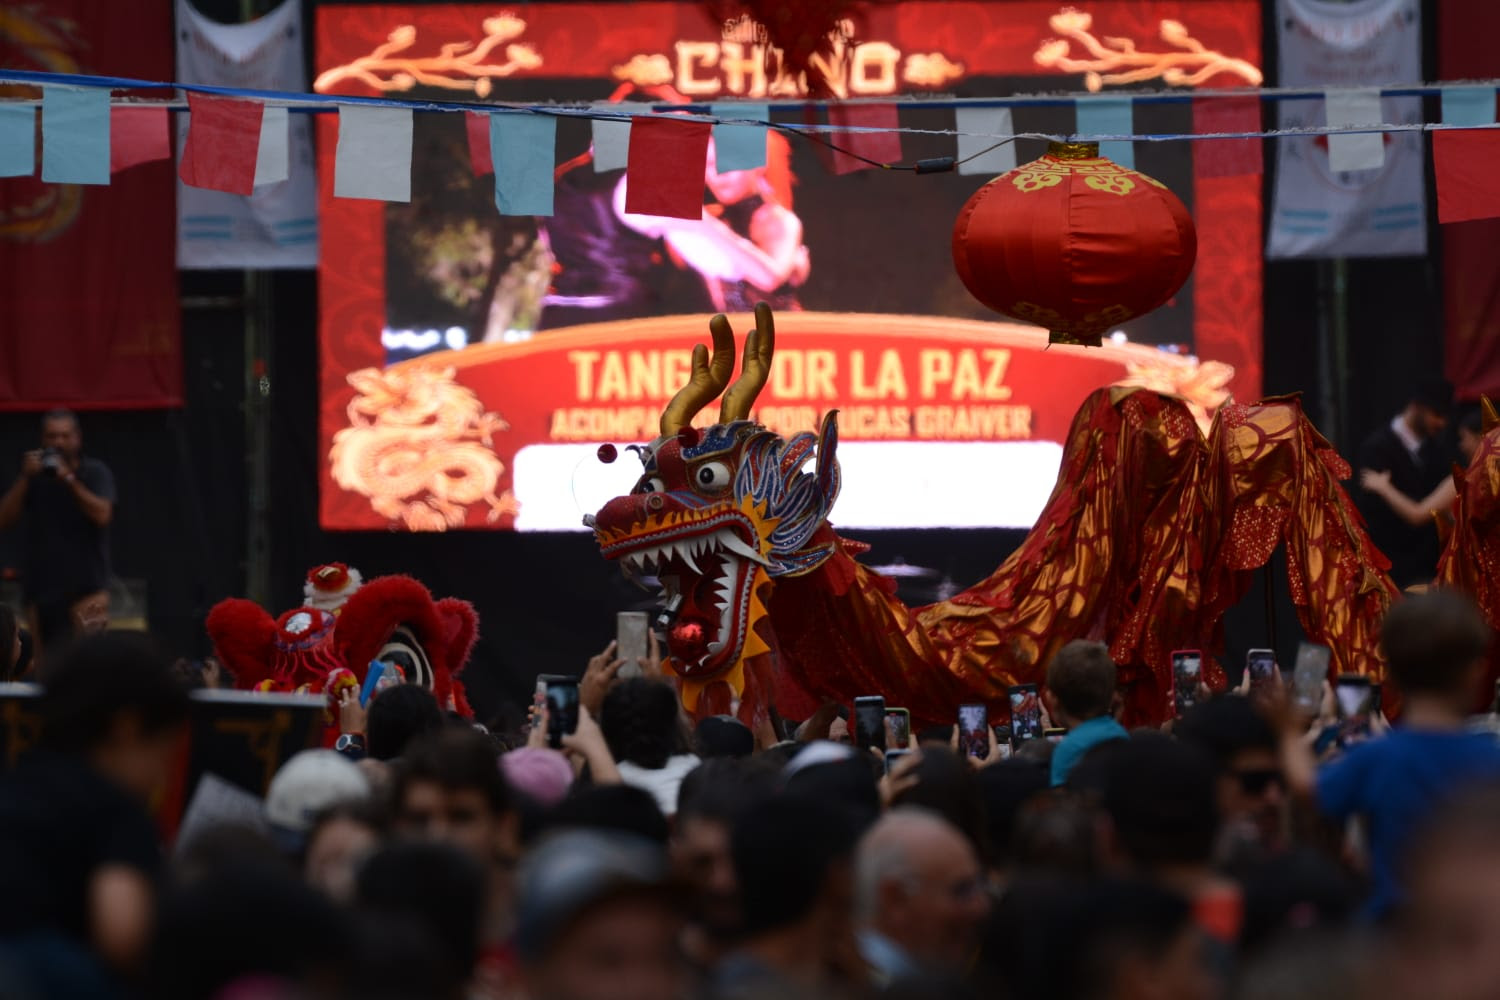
1151 534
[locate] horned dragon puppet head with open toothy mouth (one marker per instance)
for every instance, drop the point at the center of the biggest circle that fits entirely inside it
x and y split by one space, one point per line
722 512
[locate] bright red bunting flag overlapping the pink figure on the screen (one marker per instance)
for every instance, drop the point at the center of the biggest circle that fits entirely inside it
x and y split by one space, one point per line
665 167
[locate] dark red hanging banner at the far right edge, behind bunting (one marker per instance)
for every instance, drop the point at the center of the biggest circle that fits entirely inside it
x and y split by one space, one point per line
1471 266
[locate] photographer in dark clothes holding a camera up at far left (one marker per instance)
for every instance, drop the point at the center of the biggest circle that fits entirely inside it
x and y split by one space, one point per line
67 503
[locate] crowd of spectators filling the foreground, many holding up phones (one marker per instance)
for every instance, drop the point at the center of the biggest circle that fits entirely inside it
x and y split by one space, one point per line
1240 852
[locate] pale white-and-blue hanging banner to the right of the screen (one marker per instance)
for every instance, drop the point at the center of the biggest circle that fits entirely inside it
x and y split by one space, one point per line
1375 212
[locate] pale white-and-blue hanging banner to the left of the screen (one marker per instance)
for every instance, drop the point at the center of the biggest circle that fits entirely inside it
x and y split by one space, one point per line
278 224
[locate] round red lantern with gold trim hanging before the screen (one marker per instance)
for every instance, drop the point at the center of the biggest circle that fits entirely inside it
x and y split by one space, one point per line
1075 242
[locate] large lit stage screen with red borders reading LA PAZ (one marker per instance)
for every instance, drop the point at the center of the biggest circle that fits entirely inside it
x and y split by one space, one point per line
449 404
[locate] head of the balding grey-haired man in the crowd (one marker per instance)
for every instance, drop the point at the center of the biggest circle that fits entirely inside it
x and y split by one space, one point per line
920 896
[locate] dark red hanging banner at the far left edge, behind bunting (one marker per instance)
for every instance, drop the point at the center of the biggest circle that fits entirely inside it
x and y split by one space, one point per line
89 314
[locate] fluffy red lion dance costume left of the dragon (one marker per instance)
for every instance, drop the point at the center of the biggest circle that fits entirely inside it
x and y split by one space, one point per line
314 650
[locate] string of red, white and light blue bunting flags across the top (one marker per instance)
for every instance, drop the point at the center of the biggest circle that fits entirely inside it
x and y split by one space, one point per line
238 139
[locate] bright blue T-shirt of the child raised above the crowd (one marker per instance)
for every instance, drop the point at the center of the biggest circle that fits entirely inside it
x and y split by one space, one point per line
1396 783
